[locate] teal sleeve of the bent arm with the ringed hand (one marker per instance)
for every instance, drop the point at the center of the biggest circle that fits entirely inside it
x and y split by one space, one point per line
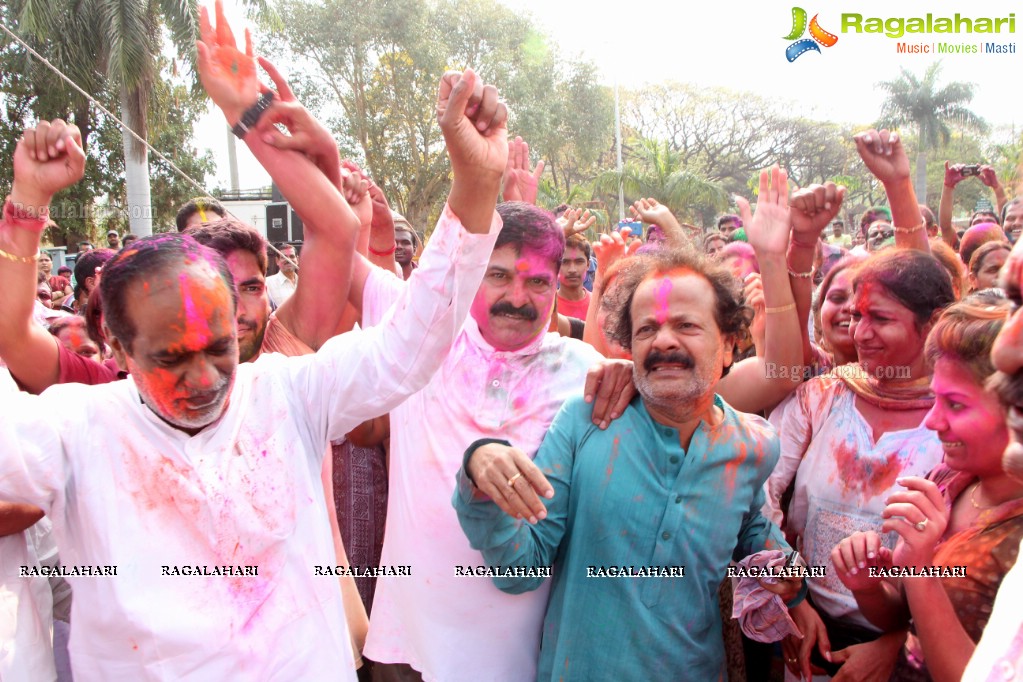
506 541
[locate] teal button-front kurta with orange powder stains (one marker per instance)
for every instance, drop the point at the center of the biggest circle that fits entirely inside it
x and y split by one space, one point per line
631 496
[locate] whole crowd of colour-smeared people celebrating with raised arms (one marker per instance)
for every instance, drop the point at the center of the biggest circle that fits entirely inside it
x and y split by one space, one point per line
767 448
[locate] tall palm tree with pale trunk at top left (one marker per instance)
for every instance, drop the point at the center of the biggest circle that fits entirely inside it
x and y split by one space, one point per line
122 41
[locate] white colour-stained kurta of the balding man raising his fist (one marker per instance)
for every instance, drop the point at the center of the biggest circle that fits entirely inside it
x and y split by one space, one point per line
125 489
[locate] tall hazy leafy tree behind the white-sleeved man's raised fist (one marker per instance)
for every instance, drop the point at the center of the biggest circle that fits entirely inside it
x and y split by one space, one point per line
371 69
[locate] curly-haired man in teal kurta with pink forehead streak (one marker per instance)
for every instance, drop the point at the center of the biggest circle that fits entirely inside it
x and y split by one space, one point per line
677 481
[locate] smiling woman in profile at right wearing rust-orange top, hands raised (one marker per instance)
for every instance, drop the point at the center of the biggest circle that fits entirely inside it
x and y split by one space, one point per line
968 512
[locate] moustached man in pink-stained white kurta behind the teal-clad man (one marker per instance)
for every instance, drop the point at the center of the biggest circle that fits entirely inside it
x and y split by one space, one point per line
506 375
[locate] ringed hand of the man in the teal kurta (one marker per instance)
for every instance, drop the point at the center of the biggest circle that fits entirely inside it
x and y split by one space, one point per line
511 480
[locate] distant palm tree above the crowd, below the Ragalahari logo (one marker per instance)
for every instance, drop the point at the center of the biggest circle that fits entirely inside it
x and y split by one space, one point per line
919 102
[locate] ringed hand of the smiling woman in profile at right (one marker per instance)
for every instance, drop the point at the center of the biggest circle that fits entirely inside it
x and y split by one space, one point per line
920 517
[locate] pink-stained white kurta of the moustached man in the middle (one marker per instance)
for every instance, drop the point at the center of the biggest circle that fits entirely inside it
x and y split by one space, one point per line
457 628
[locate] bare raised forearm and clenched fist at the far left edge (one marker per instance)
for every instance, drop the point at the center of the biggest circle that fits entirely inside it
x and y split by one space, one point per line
49 159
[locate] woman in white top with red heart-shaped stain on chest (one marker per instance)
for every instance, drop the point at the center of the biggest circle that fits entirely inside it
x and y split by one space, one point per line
850 435
